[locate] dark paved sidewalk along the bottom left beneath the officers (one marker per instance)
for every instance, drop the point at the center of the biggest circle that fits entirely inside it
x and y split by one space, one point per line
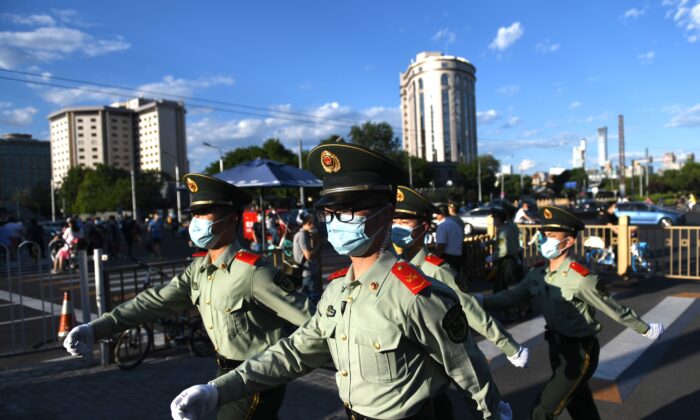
68 389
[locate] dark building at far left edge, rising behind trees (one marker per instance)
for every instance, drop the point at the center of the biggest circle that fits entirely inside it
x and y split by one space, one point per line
25 162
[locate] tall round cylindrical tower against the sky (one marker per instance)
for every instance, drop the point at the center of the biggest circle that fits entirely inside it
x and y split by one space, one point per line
438 108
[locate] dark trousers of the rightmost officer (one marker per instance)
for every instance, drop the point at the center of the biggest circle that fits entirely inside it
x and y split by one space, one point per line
573 361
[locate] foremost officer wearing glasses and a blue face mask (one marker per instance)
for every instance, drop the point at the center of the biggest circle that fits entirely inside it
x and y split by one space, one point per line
396 338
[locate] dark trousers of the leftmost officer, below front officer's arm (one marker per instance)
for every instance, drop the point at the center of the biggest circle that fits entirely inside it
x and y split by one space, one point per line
259 406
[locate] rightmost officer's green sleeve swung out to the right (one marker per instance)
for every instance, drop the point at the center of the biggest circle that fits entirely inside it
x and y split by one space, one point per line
593 291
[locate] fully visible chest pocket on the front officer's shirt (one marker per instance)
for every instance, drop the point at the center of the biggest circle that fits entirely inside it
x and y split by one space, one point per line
381 357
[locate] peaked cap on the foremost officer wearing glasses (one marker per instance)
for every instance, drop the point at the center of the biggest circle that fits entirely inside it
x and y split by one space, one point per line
354 175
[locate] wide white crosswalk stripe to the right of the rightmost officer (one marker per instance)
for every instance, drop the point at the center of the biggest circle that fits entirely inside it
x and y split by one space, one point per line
621 365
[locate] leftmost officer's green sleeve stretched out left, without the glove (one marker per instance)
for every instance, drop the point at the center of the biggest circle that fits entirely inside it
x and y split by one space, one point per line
149 305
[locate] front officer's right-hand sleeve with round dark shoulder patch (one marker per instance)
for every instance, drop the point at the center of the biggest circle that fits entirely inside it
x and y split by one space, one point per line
437 322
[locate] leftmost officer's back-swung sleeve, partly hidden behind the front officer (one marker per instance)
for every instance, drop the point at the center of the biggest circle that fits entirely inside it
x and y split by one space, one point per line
274 290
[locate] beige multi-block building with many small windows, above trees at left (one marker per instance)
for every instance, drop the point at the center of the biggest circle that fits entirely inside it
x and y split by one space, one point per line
140 134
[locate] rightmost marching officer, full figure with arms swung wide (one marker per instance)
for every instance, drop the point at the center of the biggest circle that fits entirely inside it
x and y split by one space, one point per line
569 294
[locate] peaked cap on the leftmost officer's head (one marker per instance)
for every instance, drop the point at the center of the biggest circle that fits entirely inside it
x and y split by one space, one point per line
207 191
